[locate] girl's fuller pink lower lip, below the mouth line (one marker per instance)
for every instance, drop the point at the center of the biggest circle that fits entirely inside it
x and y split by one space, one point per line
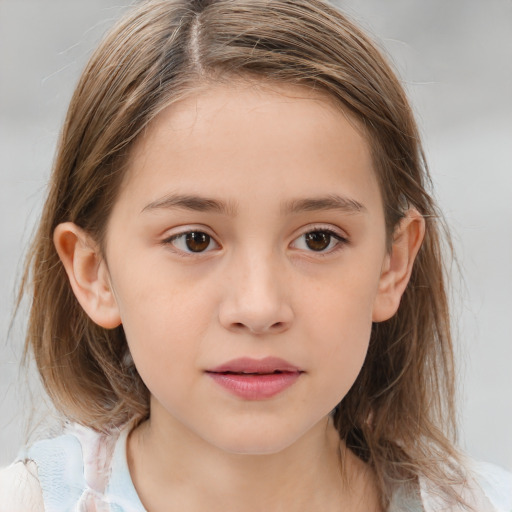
255 386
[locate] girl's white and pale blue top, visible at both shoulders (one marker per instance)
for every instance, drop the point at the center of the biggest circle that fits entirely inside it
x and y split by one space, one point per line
83 471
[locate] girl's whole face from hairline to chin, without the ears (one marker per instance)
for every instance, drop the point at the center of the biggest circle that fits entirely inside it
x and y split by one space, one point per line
248 173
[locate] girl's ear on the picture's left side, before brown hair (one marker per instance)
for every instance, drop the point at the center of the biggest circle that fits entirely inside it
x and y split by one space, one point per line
88 274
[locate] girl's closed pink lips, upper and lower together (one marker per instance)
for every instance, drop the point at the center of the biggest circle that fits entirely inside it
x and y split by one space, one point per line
255 379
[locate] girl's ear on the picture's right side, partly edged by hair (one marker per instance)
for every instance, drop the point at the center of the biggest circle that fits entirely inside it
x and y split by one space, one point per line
397 267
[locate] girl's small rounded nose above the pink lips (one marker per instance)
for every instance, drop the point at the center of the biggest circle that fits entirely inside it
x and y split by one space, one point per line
256 298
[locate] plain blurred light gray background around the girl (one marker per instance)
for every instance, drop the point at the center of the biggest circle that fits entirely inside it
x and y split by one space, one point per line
455 58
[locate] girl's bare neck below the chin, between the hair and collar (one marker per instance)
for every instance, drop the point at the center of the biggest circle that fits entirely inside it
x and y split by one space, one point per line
314 473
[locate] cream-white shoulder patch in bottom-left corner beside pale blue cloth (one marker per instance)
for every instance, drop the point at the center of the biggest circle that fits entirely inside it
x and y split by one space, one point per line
20 488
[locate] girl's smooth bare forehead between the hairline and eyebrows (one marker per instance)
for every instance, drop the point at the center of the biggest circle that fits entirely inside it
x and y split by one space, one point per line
225 132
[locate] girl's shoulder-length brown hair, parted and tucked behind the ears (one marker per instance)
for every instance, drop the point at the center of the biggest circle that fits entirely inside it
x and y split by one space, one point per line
399 414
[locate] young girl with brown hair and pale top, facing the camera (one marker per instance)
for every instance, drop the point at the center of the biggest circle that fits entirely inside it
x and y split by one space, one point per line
237 289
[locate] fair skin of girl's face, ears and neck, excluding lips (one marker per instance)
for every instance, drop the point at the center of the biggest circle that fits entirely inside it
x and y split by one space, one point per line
287 259
